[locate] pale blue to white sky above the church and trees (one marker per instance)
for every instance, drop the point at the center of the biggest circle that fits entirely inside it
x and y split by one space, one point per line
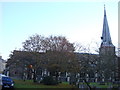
79 21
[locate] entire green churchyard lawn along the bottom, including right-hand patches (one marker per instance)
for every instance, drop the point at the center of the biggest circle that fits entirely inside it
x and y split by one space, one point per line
30 84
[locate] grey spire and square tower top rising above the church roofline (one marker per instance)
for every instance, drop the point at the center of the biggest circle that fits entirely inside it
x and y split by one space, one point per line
106 48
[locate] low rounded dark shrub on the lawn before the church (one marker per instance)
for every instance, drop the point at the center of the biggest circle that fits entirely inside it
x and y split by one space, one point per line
48 80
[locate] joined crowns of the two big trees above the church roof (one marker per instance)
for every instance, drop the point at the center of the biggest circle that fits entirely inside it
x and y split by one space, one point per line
38 43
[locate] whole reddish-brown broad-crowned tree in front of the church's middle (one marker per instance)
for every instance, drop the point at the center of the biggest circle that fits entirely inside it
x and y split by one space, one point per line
59 52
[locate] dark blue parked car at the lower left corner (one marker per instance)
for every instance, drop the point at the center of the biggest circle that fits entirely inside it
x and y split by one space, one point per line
6 82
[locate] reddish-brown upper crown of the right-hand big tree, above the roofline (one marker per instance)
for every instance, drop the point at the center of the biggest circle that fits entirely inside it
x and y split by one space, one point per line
58 43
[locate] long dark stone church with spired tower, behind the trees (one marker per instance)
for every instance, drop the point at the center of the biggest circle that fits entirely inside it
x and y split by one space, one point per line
103 68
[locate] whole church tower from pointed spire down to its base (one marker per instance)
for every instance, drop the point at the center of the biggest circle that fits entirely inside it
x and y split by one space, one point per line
107 53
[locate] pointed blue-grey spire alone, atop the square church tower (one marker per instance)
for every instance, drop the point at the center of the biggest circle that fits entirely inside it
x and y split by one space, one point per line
106 38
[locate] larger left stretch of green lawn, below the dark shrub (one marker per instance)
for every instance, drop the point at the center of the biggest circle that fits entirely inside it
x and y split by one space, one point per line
30 84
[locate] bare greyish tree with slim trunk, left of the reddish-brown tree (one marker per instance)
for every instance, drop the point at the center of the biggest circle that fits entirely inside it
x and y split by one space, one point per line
34 44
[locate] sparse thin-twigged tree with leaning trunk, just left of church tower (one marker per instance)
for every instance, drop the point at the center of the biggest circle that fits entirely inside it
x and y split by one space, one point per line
87 62
